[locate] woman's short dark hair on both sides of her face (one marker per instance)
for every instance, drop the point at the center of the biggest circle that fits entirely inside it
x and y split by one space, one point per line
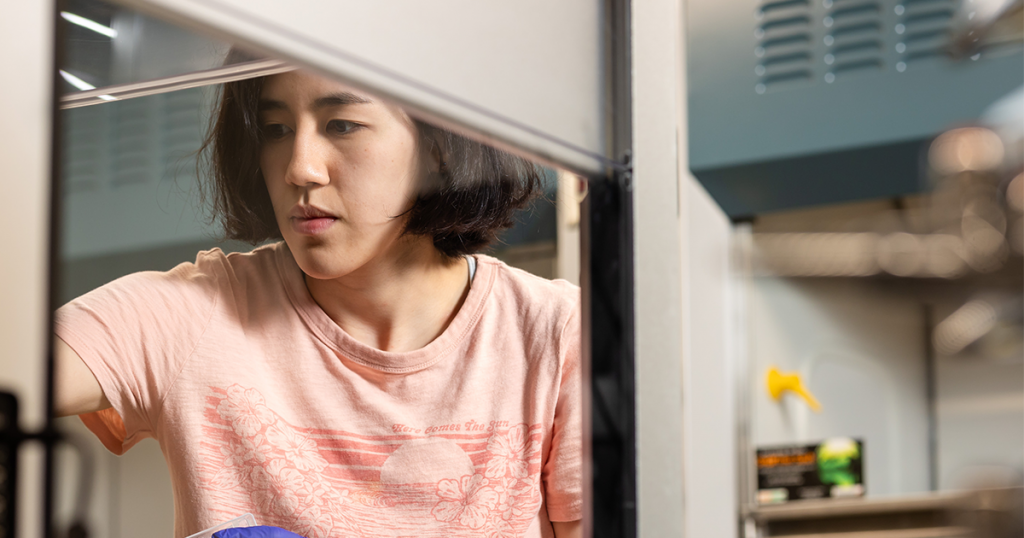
466 205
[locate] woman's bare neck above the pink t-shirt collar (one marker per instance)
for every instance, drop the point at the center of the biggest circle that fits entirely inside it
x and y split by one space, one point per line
397 303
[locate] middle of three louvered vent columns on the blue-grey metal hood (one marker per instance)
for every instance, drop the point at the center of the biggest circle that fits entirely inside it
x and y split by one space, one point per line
855 37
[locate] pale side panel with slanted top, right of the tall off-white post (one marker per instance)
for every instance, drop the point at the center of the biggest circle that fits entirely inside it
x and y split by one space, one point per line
709 369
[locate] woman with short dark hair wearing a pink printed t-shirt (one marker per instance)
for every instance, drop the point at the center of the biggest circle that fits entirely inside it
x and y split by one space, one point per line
367 377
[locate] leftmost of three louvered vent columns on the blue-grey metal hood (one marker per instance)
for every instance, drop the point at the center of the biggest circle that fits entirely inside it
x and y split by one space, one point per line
785 50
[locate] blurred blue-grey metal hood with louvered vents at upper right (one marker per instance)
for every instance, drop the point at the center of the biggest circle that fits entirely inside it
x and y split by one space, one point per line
802 103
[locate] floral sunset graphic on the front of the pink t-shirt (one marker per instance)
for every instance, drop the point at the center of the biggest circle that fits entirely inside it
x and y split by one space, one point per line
326 484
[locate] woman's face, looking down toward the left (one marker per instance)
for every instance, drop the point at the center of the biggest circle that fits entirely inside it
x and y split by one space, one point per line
340 168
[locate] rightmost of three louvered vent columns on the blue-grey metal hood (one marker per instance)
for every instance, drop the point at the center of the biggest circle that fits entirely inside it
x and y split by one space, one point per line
923 30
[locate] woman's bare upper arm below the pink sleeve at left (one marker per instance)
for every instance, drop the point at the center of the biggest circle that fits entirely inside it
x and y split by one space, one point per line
76 390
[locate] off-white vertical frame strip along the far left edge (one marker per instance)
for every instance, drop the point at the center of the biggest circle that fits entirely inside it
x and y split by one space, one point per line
26 54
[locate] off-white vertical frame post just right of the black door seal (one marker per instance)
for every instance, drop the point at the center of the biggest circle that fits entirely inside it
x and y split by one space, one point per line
658 266
